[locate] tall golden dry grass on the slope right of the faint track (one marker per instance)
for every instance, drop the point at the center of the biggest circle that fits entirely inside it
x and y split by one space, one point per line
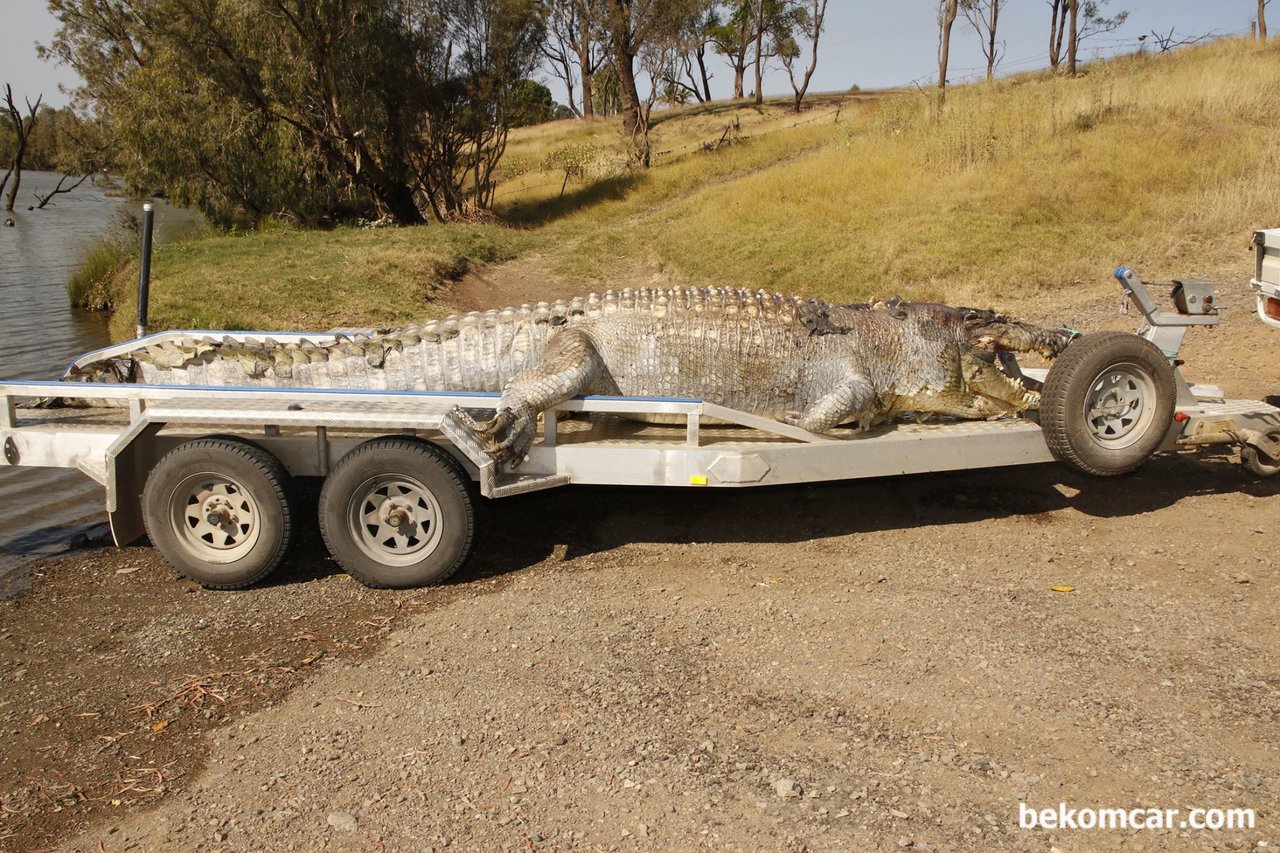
1034 184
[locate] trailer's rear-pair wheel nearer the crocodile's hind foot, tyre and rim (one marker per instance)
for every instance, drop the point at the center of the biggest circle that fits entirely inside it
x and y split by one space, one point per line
397 513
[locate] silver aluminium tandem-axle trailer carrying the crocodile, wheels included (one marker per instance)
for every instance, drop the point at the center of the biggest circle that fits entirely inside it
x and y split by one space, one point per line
207 472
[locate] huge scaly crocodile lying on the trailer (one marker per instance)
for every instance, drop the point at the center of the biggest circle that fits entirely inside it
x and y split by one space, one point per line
804 362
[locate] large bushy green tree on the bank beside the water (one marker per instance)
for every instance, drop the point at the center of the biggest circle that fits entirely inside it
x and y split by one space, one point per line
319 108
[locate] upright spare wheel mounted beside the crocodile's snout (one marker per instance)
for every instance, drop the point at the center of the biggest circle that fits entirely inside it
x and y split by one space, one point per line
1108 403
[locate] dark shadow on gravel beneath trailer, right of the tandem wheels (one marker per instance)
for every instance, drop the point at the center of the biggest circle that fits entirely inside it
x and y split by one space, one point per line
522 532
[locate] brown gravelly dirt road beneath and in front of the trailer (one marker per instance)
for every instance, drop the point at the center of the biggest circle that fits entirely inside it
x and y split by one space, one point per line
849 667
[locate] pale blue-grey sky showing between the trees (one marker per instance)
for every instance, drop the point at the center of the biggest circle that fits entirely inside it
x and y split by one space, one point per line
868 43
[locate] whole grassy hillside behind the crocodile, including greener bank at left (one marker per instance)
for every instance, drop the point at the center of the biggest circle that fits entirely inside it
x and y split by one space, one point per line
1032 186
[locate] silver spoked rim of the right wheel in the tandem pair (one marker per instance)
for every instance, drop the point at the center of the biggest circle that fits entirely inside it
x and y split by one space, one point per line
395 519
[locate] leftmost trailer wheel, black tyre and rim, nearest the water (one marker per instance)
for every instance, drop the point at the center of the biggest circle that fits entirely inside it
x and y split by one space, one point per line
220 510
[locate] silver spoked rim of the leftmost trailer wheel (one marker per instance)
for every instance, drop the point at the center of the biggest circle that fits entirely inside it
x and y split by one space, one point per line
214 518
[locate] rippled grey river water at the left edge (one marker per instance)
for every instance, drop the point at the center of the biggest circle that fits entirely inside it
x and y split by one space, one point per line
44 512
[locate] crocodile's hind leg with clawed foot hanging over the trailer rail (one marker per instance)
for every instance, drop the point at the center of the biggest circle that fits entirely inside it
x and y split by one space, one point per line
570 367
